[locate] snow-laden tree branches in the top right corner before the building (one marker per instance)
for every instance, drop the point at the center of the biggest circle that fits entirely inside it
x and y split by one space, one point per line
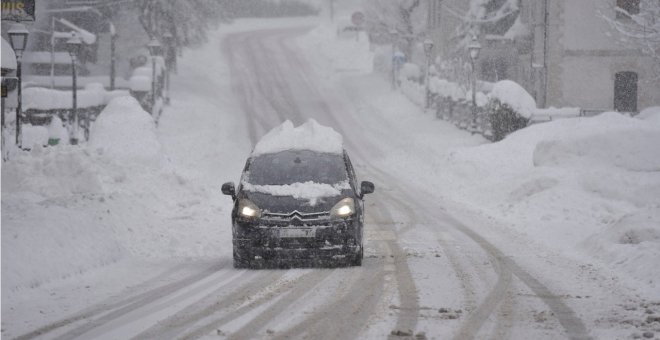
637 25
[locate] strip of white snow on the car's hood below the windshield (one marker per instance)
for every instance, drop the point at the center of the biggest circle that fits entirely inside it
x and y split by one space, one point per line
308 191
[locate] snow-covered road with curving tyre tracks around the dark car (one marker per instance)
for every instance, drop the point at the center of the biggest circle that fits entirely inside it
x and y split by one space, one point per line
433 268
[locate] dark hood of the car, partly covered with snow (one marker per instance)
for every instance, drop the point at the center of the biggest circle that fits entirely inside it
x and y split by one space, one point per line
287 204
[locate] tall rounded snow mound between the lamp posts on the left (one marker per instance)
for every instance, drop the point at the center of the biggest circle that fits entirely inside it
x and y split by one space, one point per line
126 132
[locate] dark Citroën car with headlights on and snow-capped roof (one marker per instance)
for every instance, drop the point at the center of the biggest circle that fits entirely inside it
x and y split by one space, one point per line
298 204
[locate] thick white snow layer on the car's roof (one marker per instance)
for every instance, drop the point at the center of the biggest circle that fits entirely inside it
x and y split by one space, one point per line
308 136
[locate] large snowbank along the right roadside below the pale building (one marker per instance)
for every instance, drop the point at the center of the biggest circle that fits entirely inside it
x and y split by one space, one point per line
591 184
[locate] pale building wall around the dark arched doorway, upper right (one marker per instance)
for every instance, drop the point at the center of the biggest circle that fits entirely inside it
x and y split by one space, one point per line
584 55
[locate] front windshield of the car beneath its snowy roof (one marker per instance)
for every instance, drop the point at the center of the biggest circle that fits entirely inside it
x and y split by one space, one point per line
299 166
